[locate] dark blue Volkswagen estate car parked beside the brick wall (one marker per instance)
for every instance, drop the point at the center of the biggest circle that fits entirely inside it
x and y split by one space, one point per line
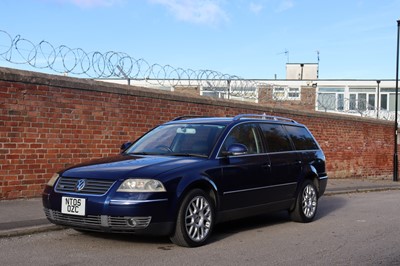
183 177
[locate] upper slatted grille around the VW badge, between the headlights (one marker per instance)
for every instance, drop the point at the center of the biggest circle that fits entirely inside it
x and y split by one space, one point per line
92 186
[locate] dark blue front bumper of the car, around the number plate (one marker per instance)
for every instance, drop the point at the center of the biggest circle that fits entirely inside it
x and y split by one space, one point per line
115 214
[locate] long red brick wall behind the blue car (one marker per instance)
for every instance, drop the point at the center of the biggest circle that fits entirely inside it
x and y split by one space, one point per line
51 122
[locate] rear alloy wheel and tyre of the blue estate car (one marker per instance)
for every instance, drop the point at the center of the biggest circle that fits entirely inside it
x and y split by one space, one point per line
306 204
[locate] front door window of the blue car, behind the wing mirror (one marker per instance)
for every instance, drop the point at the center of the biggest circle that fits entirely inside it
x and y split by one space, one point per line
245 134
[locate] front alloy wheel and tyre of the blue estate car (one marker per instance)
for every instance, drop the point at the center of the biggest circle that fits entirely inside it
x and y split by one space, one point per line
195 220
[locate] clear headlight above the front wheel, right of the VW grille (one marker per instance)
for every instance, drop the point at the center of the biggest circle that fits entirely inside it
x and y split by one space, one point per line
141 185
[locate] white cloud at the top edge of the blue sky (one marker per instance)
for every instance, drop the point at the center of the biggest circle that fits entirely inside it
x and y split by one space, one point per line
195 11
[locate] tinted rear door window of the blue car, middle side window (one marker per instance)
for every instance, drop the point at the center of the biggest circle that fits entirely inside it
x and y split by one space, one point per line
276 138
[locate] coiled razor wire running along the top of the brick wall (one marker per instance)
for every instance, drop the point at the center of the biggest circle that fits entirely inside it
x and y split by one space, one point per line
103 65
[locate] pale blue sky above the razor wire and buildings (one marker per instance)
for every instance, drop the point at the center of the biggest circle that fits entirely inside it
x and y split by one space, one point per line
356 39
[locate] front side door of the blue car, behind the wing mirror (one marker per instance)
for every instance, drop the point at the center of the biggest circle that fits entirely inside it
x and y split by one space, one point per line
244 176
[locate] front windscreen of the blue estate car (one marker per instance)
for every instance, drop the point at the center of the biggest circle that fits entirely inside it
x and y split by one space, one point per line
178 140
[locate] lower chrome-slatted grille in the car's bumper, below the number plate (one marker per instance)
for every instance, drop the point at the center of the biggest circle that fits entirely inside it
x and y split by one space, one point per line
98 222
